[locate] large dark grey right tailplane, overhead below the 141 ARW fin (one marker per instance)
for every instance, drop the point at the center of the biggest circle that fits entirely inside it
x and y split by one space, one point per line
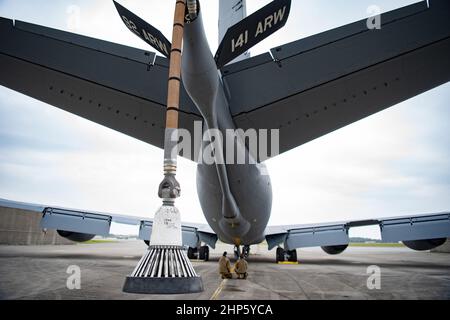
311 87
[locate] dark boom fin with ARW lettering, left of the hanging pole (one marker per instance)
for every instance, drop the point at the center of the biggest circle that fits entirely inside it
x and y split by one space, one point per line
144 30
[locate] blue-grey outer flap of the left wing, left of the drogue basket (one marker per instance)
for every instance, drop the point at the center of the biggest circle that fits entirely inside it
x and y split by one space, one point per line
76 221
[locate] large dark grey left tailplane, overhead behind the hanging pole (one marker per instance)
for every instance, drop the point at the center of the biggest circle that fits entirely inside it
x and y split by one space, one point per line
119 87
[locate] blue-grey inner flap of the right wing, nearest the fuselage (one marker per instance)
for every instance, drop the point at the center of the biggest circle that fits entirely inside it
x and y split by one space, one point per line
316 237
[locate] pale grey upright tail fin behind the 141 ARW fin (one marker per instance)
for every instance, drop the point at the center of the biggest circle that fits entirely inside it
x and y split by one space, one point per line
230 13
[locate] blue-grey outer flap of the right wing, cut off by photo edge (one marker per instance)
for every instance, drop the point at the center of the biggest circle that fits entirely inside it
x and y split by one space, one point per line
416 228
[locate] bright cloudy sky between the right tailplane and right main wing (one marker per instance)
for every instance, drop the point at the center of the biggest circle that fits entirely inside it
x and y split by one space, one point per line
388 164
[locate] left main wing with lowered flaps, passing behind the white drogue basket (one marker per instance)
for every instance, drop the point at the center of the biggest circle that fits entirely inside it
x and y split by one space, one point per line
99 223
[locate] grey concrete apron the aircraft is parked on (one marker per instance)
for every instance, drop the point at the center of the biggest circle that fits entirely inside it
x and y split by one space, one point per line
39 272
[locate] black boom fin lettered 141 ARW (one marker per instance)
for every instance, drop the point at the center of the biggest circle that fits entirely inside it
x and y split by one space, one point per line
252 30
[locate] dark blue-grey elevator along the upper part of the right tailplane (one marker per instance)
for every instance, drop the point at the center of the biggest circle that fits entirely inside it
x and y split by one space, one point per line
300 70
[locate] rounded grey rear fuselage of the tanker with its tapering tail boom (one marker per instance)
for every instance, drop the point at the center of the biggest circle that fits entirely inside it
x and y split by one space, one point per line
236 199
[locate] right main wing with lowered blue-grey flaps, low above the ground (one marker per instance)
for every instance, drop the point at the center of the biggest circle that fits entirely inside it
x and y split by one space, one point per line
406 228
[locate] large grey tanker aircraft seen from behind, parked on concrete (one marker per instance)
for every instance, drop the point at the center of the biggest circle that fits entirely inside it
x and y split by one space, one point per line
302 90
